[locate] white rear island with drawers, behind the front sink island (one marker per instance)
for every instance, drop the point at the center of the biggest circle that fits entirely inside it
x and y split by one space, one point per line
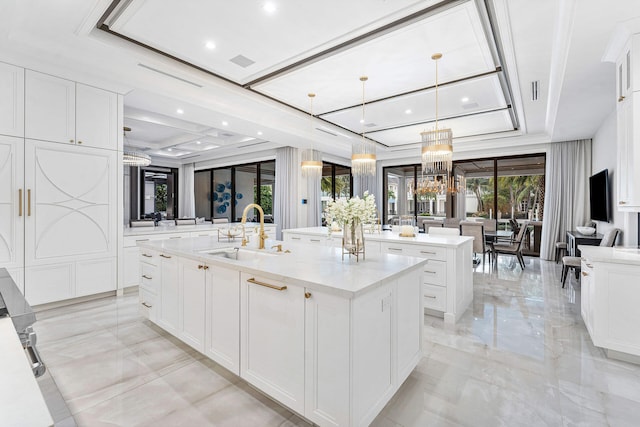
447 287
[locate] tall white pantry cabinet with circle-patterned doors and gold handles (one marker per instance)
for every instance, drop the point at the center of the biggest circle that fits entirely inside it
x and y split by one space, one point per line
59 168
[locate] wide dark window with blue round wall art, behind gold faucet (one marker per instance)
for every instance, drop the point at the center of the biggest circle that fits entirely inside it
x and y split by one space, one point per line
225 192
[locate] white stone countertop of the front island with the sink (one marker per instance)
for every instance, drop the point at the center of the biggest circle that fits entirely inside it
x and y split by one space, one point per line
314 267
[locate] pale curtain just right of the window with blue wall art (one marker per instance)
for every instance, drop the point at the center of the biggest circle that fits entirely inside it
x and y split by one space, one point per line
285 213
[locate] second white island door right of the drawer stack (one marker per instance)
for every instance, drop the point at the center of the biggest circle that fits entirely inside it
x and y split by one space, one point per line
192 302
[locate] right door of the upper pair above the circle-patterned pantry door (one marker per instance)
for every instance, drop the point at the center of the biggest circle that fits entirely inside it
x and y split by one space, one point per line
96 117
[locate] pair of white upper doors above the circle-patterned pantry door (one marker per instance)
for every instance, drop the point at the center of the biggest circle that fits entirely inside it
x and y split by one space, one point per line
60 110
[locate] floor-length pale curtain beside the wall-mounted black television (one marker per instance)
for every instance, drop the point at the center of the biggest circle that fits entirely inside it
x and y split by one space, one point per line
566 201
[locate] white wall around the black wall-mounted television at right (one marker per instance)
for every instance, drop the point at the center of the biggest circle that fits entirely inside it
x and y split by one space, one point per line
604 151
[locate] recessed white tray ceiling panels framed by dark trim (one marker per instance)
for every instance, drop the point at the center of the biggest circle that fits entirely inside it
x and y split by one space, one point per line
299 48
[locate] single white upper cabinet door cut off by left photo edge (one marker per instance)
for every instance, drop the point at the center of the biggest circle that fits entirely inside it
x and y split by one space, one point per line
11 100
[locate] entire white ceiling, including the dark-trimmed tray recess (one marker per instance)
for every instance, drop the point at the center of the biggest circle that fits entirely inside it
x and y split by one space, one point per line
324 47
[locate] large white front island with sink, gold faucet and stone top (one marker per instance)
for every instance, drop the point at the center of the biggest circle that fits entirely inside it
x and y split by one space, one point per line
332 340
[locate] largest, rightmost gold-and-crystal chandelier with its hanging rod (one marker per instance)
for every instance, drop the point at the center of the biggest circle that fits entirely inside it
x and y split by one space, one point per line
437 144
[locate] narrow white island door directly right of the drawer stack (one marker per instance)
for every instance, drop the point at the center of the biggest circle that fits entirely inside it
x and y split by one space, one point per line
168 313
